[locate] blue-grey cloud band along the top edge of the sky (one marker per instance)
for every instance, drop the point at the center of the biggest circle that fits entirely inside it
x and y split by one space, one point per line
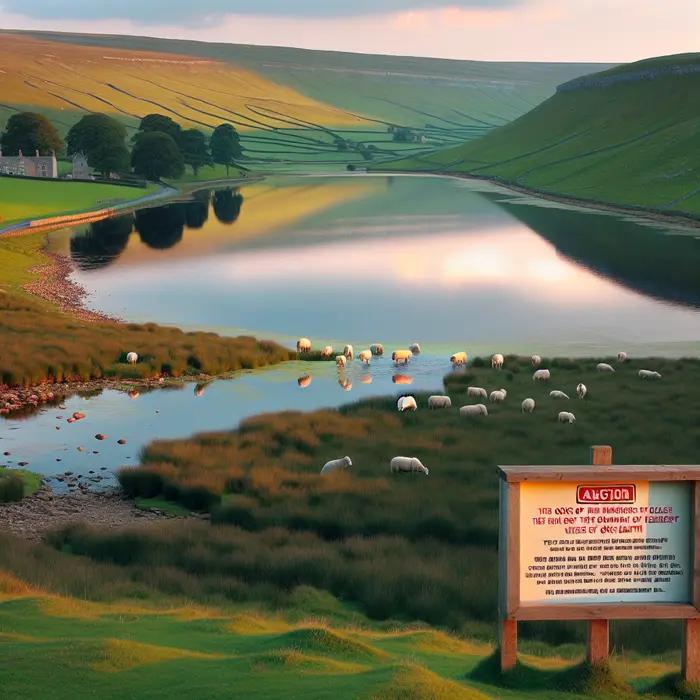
207 12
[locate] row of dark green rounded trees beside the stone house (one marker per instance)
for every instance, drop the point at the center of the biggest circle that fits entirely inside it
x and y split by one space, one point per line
160 147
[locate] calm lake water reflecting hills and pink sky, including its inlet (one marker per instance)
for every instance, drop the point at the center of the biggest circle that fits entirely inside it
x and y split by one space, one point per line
449 264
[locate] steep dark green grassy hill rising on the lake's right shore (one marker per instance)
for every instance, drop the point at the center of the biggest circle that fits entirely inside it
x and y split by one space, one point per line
624 136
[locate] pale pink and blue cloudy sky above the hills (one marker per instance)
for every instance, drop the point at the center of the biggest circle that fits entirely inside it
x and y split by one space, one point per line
607 31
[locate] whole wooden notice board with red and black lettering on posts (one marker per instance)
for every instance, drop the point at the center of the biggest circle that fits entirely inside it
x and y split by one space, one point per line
600 542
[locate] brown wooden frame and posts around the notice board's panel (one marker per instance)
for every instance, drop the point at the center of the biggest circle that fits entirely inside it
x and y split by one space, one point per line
600 470
